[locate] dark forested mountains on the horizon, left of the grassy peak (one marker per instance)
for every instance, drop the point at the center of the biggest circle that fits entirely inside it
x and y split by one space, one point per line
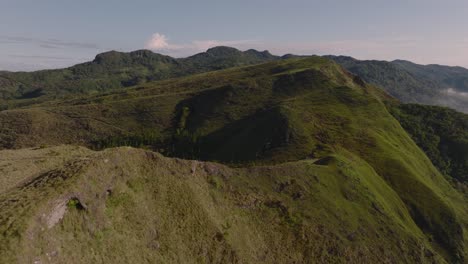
113 70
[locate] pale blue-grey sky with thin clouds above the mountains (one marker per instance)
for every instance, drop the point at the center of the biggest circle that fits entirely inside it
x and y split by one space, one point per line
43 34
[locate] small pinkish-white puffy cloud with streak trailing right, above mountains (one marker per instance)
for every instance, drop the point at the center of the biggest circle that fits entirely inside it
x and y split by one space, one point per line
159 42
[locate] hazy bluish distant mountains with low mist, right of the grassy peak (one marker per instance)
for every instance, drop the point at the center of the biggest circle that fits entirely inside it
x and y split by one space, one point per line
414 83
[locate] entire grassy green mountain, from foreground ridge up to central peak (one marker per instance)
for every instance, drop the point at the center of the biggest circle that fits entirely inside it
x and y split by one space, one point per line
319 171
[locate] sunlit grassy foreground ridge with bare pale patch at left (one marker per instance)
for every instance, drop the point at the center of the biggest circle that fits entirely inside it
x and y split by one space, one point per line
127 205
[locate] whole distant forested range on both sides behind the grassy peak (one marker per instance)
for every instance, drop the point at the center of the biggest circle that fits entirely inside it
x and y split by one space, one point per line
406 81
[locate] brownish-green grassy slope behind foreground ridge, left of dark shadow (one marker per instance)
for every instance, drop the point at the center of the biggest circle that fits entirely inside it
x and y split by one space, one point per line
150 111
